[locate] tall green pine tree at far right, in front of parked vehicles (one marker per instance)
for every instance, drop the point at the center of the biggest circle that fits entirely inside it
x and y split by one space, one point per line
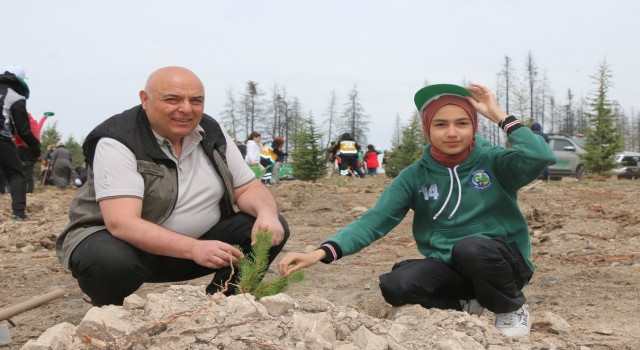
603 137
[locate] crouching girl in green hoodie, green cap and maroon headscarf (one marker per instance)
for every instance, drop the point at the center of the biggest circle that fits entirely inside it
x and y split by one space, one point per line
476 248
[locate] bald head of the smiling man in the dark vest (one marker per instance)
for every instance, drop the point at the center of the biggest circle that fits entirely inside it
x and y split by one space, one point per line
174 102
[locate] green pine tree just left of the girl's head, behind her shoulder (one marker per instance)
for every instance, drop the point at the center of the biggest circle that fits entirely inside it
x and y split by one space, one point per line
408 150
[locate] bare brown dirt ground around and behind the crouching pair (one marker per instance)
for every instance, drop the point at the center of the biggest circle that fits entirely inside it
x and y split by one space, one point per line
585 235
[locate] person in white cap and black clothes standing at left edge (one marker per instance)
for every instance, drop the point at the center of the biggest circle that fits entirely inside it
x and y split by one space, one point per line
14 93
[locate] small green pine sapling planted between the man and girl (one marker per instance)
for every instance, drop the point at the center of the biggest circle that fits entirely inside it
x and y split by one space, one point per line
252 269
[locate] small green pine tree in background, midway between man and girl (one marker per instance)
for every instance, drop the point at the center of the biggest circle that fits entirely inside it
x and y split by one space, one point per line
309 161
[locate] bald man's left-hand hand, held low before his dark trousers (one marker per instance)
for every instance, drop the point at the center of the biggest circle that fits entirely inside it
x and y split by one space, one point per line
214 254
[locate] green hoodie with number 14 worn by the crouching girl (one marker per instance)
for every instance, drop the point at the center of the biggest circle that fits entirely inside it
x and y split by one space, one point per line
489 178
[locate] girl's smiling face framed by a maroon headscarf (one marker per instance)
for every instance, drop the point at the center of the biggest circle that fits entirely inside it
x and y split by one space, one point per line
451 130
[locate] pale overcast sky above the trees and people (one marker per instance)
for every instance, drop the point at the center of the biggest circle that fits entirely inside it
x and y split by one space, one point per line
87 60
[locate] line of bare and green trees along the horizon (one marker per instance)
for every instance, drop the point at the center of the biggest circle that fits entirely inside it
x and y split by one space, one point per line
527 94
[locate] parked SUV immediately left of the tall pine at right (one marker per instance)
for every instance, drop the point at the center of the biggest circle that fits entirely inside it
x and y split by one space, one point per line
568 150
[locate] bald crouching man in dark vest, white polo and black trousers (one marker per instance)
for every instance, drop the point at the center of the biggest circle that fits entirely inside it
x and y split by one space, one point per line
158 205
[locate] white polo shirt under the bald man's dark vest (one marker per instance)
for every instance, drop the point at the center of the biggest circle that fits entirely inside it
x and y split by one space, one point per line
200 188
